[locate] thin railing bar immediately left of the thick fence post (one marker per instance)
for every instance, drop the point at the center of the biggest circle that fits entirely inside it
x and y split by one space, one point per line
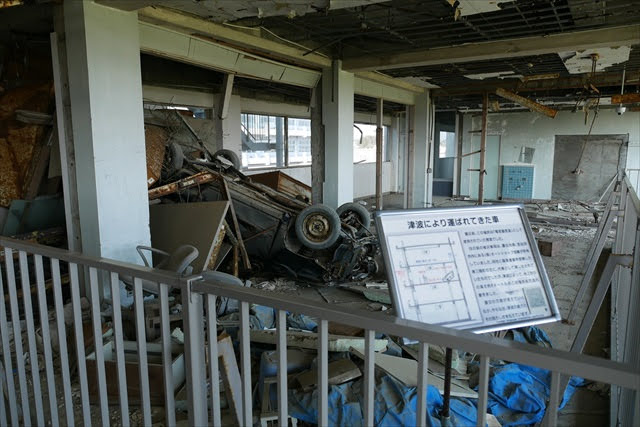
167 356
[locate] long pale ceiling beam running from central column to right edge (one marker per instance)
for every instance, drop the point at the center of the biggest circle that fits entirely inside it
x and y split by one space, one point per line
526 46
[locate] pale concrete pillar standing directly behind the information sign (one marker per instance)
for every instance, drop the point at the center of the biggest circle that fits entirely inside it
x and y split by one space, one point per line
420 158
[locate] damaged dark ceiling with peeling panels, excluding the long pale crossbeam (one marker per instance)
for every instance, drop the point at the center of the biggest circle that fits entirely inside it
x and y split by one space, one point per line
347 29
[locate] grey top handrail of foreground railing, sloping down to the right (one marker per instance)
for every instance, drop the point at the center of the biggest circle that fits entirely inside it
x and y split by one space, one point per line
564 361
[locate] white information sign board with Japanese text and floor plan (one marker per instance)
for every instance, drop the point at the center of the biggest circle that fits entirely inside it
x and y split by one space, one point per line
476 268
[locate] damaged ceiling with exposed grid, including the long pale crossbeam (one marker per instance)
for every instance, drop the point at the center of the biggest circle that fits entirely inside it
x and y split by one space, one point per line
463 47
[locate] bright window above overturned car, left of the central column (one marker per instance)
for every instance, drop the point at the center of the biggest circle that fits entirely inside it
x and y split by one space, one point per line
275 141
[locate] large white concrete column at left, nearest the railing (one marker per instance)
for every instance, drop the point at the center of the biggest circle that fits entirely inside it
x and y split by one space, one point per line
108 129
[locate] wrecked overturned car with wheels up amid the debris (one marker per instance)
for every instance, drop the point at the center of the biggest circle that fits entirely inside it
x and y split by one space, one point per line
281 232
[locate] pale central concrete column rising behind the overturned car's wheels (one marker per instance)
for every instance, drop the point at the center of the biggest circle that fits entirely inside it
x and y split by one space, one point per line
337 117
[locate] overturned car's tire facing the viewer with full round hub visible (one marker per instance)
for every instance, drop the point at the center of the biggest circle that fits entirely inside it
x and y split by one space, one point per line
317 226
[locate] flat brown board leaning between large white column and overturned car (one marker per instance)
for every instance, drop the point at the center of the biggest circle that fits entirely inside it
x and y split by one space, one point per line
197 224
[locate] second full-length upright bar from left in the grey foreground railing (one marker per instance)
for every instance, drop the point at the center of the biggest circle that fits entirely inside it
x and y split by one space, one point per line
31 336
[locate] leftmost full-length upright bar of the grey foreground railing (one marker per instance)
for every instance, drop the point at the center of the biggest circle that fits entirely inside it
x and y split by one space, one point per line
17 335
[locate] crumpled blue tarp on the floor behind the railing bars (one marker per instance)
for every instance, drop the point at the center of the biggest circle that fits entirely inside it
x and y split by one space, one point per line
517 396
